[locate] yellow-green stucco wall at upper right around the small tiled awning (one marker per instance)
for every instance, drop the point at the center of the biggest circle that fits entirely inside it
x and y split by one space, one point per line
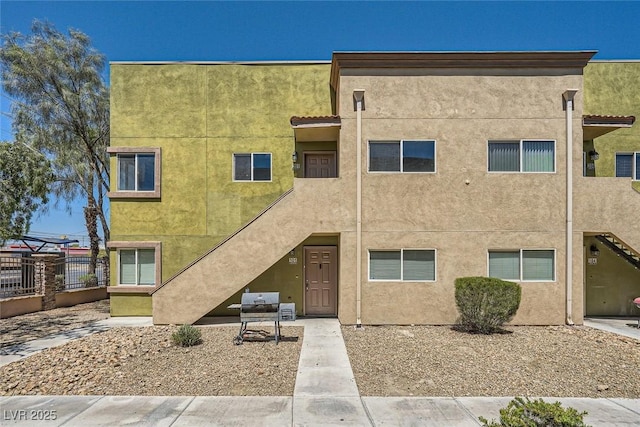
613 88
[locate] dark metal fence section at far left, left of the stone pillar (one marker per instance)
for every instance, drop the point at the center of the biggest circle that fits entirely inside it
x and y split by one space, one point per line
17 276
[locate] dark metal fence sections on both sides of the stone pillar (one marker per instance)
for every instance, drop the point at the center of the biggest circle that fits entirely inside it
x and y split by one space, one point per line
18 274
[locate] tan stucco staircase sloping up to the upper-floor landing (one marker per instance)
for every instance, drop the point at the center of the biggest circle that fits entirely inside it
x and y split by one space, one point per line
312 206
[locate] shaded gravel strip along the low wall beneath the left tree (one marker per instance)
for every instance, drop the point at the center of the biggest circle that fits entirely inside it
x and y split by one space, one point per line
19 329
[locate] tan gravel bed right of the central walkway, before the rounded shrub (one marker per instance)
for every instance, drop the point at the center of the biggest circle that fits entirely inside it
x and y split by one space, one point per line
558 361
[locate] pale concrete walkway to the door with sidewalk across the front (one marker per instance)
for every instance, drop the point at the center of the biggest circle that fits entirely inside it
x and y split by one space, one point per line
325 394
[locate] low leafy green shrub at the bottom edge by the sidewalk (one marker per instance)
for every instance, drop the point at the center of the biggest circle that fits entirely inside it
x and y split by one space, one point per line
534 413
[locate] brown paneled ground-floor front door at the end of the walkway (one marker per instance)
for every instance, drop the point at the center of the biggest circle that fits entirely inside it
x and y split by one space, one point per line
321 280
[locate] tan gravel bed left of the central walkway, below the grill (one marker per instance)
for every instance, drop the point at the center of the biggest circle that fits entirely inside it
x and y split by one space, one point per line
143 361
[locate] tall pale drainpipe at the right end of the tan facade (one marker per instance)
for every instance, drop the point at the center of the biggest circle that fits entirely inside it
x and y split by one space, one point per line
568 98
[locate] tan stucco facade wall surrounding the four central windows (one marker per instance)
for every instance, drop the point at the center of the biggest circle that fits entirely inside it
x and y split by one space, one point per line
461 220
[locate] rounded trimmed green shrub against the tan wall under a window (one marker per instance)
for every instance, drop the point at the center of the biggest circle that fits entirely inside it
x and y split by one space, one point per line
485 303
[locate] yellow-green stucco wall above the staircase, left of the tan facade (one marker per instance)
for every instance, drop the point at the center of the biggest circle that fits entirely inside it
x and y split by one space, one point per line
199 115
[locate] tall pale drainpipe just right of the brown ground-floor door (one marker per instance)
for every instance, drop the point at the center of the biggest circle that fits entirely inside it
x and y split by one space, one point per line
358 96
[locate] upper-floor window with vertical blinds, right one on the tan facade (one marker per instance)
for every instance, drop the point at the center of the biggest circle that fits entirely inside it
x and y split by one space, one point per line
525 155
